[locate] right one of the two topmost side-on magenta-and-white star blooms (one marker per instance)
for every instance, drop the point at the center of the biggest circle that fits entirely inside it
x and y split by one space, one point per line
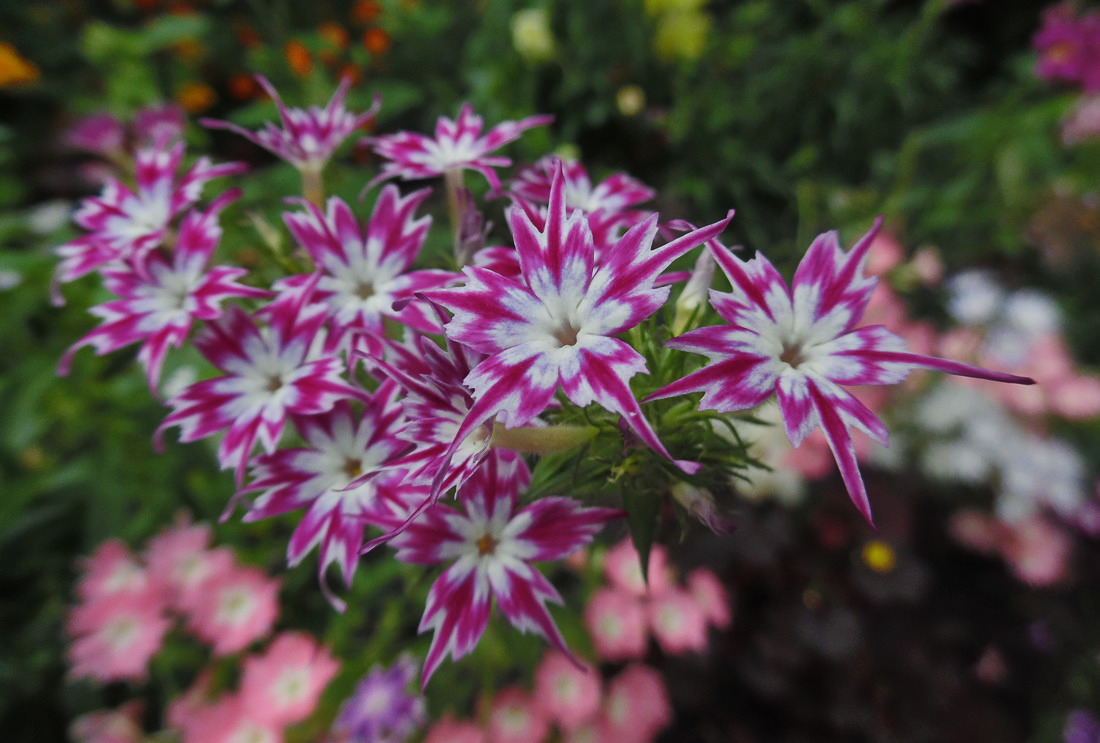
458 146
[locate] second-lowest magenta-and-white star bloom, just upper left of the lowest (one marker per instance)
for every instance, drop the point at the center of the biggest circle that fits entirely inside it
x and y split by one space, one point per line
329 479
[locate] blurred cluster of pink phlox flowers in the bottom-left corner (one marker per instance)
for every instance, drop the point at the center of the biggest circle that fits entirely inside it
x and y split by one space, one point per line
128 605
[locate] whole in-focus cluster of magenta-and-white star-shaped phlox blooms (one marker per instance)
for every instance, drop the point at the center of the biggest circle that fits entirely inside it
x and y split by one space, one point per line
527 369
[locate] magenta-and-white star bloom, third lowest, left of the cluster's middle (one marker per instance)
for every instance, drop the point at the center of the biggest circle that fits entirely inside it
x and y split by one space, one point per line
271 371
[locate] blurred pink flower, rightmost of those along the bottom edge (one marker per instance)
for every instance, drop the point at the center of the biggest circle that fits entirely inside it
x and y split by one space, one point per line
636 708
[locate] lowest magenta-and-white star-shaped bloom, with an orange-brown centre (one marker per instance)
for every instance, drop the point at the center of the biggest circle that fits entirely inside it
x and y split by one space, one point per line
493 544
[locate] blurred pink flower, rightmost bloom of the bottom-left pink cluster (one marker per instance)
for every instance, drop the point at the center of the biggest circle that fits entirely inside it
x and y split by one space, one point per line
283 686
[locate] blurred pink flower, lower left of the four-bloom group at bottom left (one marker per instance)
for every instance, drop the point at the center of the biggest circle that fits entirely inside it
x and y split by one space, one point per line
115 638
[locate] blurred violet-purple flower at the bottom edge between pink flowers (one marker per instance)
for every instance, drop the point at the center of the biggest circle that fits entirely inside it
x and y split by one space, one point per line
381 711
